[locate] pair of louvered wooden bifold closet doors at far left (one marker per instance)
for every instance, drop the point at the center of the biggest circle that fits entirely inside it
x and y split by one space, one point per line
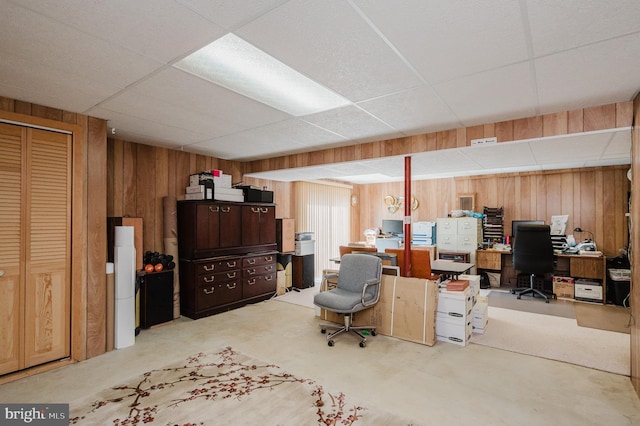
35 230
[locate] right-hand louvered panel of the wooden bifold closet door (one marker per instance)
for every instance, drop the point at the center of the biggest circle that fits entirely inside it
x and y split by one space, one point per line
47 247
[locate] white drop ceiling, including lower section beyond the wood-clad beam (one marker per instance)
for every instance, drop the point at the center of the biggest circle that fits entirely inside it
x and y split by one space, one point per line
406 68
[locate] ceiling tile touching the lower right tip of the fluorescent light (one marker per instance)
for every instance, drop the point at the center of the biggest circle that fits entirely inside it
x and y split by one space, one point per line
407 111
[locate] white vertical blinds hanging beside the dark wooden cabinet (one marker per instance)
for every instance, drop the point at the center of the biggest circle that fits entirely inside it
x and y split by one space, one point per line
324 210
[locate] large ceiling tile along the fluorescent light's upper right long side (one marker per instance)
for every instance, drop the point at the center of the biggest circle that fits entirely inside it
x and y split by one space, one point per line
330 43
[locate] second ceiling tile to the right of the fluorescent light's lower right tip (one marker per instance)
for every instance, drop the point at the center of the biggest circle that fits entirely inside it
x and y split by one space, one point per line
492 96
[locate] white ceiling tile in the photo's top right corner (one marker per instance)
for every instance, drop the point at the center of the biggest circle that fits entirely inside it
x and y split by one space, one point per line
561 25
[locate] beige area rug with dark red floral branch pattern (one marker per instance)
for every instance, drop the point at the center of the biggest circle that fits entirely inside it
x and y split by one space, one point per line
224 388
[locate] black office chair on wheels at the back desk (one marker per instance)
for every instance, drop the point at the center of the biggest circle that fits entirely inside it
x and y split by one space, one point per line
533 255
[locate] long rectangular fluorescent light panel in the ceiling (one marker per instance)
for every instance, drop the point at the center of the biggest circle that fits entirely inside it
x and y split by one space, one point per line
239 66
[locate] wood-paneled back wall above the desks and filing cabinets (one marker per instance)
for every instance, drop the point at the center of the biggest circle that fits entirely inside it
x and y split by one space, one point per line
594 198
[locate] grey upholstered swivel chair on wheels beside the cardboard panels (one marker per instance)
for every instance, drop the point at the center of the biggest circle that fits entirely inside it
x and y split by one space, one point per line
357 288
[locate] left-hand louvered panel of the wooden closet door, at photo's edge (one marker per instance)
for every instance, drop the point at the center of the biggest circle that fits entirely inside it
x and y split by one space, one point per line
11 288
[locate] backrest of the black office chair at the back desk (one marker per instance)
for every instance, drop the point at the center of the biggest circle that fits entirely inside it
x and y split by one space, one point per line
533 249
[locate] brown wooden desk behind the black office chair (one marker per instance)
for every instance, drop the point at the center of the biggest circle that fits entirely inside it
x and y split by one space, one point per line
589 267
